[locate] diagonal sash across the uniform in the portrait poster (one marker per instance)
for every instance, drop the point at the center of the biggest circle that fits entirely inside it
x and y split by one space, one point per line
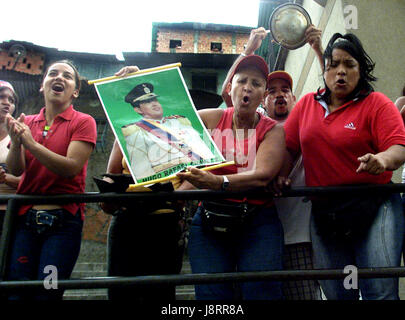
163 134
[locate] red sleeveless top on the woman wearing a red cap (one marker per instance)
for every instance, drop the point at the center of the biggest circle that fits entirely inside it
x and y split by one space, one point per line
244 151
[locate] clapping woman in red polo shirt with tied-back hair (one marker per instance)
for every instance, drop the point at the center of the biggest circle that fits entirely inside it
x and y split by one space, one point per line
50 150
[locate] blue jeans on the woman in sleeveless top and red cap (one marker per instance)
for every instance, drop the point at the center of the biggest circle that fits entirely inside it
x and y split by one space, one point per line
258 247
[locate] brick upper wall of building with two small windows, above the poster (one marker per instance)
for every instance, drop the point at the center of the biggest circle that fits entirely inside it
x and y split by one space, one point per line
205 38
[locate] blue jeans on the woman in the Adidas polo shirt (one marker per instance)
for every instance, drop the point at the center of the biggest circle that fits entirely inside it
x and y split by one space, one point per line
380 247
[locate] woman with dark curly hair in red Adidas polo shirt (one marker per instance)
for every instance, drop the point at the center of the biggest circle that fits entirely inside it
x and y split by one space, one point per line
350 135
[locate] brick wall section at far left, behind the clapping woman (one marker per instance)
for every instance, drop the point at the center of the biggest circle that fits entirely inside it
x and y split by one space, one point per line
32 63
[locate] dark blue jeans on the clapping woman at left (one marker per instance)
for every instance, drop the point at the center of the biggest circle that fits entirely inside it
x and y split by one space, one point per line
32 251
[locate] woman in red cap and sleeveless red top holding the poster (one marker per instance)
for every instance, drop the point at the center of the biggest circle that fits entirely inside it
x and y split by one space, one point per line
239 235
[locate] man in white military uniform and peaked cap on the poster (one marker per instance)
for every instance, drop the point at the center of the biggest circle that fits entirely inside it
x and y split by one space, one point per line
156 143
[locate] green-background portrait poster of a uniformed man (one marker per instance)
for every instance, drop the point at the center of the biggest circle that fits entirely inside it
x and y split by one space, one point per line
156 124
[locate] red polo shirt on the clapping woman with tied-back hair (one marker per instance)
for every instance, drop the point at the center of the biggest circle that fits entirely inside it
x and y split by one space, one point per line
68 126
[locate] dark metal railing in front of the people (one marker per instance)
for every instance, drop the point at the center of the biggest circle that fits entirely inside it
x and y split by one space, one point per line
14 201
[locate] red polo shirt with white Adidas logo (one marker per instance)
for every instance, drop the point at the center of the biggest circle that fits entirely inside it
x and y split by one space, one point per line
331 145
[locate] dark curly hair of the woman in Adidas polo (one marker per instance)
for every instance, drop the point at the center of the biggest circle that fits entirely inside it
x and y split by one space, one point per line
352 45
